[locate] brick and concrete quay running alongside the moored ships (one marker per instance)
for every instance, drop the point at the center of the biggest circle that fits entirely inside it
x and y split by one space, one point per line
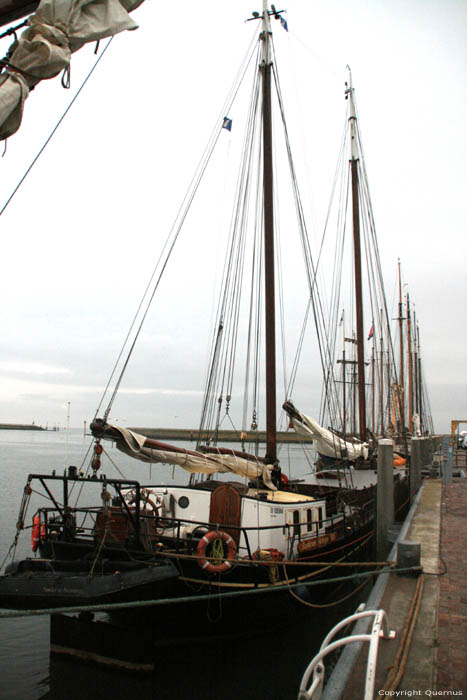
434 662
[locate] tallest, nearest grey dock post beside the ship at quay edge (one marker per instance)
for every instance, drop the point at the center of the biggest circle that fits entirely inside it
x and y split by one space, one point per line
384 497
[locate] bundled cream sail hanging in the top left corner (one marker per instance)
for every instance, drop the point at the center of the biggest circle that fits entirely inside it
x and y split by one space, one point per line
55 31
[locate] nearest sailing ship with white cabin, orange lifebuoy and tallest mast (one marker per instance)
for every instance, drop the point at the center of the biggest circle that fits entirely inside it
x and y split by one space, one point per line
239 525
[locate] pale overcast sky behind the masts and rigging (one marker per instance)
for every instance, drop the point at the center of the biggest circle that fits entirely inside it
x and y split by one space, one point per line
80 238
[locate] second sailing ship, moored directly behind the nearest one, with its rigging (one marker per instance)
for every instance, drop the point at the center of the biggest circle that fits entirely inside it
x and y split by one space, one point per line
357 407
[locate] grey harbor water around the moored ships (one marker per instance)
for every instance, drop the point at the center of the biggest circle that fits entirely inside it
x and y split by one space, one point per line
258 665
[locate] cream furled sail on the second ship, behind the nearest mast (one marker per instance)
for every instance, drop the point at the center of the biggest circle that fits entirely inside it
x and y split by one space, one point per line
326 442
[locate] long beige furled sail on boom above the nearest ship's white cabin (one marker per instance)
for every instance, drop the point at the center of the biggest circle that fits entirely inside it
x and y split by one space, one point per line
136 445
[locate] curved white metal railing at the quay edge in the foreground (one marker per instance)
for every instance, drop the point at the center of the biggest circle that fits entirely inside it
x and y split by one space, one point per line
316 667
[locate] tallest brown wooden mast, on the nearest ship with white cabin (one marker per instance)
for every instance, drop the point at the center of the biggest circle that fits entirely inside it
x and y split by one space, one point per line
270 320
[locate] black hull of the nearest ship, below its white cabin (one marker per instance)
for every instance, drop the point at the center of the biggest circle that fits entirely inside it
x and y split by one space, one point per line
219 609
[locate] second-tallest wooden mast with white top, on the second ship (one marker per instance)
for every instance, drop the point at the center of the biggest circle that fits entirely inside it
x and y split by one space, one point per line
354 159
